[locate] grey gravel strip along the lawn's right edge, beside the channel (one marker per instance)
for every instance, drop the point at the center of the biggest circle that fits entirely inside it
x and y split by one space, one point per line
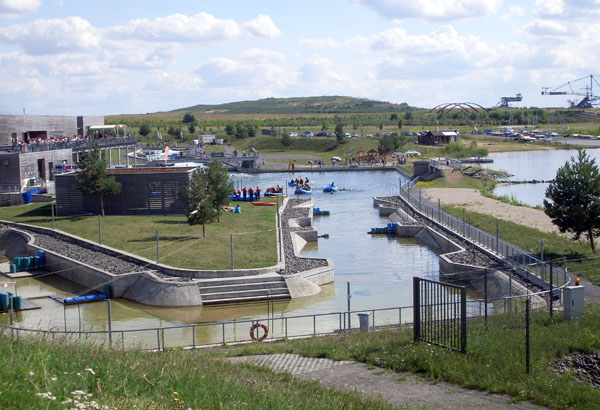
293 263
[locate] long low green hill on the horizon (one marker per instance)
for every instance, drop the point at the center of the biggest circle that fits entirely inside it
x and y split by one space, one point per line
297 105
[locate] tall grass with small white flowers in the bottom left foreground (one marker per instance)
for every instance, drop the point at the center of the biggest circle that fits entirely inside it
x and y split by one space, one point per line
36 373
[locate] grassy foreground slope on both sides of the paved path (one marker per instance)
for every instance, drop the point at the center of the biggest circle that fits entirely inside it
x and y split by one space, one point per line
494 362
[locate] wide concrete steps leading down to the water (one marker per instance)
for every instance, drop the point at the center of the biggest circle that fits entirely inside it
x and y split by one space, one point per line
243 289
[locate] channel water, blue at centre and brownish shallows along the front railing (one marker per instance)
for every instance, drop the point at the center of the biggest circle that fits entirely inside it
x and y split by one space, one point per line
379 270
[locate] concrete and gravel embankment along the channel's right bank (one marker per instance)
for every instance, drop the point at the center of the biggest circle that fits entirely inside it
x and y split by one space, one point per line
498 282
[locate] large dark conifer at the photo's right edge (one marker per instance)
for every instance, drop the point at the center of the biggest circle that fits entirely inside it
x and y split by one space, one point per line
574 198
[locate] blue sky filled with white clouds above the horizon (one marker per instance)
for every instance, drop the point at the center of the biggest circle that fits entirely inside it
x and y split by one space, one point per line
105 57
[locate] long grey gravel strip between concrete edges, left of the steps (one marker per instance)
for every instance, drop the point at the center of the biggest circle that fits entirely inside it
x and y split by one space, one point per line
85 255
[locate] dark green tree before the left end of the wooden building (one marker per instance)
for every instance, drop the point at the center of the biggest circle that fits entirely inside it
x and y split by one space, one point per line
93 179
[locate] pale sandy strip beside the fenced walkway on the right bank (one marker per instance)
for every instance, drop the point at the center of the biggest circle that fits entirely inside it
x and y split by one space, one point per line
472 200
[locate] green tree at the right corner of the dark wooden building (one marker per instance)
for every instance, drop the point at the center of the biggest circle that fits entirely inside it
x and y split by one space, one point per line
198 200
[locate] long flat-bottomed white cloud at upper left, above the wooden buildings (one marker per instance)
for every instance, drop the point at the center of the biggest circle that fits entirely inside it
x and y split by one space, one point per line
201 27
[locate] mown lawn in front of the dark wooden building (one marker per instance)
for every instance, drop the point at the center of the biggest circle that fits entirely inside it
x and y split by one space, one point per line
181 245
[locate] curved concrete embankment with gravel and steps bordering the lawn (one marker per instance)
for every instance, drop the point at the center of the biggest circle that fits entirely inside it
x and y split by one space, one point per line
147 282
